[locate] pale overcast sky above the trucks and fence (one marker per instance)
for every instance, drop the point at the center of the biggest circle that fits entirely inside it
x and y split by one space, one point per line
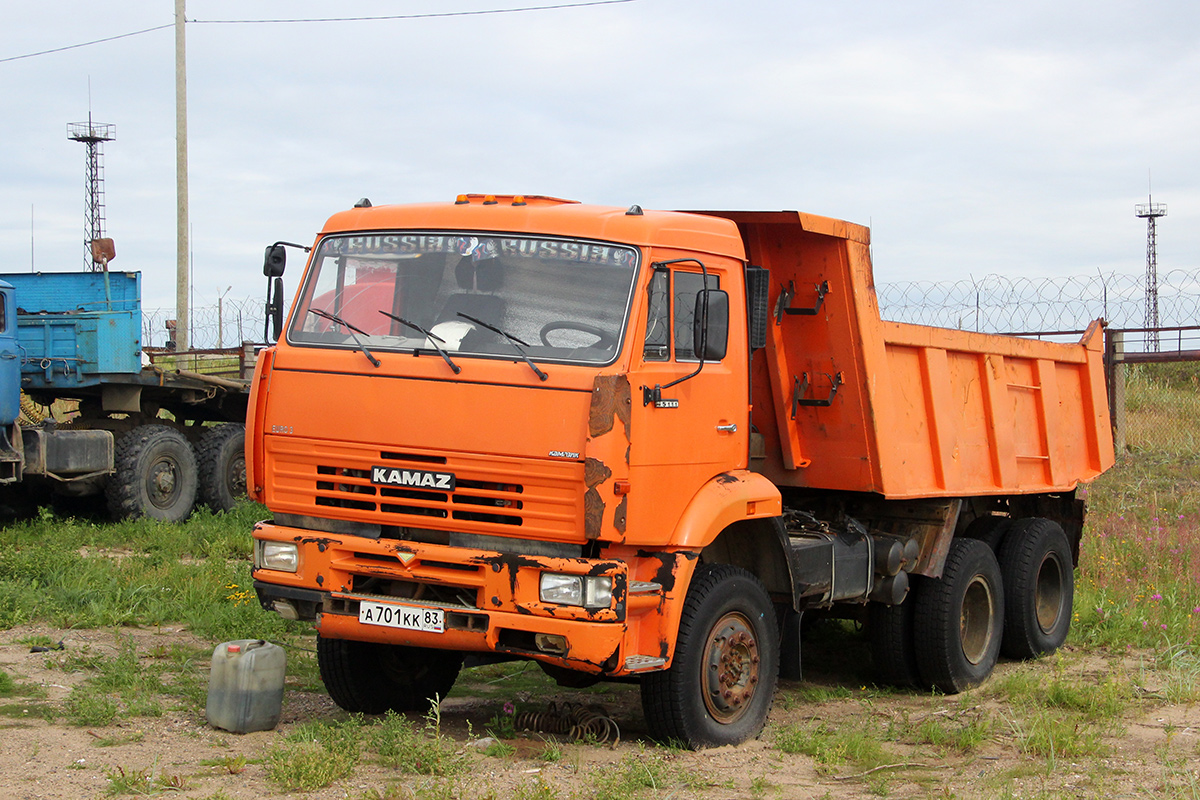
1009 137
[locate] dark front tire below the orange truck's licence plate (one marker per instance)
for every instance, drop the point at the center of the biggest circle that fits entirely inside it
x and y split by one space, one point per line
373 678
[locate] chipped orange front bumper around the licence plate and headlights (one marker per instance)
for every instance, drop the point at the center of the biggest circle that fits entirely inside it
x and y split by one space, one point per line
490 600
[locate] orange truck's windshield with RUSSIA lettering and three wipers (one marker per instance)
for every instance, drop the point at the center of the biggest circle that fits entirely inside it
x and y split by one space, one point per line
469 296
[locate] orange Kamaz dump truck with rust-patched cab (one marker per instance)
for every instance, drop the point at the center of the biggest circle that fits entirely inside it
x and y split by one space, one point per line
641 446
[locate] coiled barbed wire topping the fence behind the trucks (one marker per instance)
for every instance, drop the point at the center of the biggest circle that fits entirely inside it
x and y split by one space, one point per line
992 304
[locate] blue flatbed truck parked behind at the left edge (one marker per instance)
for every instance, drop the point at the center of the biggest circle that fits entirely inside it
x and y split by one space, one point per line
85 413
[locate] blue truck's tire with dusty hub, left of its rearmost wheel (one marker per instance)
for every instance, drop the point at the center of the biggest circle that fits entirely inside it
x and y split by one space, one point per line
154 476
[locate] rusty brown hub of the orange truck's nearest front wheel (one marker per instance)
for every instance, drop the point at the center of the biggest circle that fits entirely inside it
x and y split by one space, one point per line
731 669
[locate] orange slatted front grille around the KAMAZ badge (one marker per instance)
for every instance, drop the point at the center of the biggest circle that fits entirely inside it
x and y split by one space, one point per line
490 495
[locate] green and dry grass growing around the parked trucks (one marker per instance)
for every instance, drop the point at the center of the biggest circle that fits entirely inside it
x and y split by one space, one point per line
1135 647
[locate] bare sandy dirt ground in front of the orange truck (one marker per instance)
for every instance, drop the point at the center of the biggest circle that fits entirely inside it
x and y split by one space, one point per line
1154 753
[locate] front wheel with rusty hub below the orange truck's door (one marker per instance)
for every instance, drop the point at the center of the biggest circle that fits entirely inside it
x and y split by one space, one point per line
727 663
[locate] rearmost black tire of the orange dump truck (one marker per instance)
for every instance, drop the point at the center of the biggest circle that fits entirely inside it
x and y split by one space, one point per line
1040 588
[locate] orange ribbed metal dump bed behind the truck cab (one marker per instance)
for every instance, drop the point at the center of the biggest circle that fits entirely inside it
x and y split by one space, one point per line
845 401
